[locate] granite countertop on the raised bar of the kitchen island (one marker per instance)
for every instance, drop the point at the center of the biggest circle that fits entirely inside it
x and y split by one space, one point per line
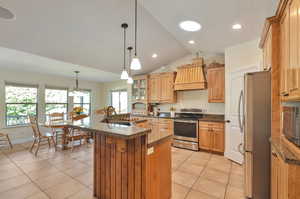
116 130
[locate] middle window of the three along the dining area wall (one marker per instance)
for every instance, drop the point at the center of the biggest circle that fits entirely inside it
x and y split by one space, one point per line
56 101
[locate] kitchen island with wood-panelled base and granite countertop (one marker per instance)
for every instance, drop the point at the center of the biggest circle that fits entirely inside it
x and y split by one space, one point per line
126 165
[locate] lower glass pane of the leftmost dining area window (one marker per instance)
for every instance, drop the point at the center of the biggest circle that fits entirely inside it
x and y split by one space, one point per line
17 114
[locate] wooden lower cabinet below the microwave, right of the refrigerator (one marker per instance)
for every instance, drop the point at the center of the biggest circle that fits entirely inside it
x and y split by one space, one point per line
285 179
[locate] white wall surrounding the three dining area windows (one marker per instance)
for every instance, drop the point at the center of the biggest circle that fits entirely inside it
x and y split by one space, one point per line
22 133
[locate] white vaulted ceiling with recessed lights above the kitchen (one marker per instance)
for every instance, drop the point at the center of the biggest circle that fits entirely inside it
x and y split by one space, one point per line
88 33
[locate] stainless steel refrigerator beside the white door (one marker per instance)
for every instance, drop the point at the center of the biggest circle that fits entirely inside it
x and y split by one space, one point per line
257 131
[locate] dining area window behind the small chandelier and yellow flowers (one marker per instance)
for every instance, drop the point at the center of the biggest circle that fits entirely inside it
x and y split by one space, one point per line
83 100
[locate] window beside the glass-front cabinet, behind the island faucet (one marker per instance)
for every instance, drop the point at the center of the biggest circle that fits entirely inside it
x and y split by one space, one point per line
119 101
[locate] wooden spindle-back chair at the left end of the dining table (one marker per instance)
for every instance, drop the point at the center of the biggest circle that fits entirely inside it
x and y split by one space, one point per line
38 137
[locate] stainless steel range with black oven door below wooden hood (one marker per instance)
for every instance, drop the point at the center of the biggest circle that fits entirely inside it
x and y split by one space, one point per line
186 130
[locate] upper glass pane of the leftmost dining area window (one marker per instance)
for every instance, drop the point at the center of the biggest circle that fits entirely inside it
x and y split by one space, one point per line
15 94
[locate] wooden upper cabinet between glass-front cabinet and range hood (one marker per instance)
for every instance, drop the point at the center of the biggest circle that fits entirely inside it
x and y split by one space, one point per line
161 88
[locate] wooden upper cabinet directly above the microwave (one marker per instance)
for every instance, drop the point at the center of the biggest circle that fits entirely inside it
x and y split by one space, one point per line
290 52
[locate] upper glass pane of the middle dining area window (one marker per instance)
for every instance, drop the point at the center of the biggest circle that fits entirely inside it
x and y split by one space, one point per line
56 96
